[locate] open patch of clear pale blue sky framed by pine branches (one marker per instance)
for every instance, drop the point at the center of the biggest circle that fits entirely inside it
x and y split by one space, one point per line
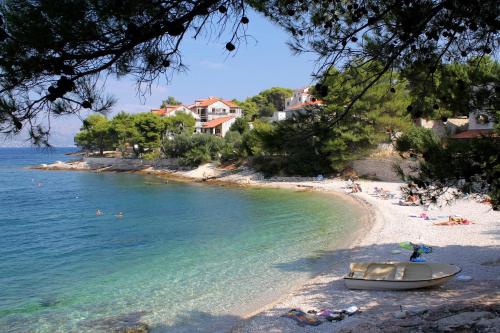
265 61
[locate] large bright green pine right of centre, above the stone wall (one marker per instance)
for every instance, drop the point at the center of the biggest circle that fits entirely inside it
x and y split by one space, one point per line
375 115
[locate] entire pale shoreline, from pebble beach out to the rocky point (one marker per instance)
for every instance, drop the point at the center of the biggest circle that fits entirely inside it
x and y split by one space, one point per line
474 247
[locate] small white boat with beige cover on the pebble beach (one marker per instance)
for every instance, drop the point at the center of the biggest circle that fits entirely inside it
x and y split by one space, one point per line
398 275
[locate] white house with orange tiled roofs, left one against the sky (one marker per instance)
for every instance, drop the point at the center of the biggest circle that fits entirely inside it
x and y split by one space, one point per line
215 107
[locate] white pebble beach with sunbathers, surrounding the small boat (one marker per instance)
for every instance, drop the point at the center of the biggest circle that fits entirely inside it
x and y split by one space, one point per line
475 248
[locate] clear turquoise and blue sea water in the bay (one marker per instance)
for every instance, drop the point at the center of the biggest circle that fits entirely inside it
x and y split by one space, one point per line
183 258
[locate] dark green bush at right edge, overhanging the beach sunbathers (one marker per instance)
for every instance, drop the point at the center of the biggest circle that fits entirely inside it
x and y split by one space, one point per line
454 168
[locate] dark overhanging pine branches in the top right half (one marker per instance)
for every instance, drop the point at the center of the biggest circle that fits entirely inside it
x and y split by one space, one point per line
392 35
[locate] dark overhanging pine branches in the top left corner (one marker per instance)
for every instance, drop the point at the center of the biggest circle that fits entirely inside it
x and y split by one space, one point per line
56 55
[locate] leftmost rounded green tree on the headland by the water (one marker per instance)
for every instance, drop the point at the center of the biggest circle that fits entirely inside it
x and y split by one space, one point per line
94 134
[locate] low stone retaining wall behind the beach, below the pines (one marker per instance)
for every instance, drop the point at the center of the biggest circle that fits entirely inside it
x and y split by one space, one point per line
382 169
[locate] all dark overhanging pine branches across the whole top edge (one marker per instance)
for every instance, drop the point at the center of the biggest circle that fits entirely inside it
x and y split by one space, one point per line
55 61
